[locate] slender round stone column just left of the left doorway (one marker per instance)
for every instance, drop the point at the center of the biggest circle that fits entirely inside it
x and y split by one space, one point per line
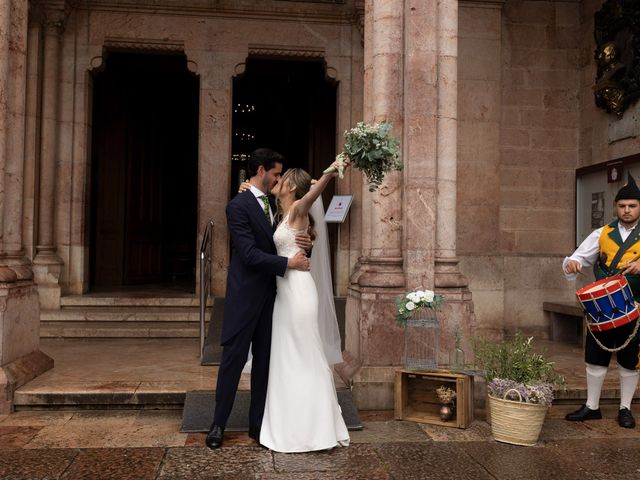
47 263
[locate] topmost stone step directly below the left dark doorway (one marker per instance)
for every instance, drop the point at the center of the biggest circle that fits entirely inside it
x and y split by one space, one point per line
96 300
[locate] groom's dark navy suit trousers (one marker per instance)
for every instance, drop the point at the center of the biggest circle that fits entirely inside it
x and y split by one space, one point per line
234 357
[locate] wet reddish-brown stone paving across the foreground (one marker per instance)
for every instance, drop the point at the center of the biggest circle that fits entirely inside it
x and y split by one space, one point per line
147 445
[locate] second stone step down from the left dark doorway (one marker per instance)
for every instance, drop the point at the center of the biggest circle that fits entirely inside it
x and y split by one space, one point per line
122 314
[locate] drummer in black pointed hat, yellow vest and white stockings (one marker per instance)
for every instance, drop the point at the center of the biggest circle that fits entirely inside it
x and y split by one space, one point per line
612 249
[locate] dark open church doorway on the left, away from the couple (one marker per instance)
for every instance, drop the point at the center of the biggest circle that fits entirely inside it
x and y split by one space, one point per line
144 173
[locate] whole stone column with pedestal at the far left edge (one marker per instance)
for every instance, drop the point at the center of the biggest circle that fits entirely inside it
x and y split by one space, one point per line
20 359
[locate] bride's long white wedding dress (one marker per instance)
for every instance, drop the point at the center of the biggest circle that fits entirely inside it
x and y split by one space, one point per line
301 411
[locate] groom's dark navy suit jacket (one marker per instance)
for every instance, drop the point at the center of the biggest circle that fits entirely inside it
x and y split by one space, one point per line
251 280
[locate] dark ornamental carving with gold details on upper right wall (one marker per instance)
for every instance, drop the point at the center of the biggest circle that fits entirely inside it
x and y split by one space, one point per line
617 55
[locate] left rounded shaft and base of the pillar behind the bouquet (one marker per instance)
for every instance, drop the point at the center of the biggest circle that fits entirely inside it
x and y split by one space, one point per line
373 338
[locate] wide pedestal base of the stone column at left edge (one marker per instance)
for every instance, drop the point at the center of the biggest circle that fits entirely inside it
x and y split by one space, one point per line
20 357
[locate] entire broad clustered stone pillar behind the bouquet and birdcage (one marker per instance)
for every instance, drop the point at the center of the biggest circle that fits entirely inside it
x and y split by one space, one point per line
410 80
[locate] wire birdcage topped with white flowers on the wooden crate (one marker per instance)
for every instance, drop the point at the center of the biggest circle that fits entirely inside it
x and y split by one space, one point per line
416 313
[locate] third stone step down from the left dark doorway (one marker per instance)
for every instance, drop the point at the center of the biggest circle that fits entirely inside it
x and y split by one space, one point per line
123 329
